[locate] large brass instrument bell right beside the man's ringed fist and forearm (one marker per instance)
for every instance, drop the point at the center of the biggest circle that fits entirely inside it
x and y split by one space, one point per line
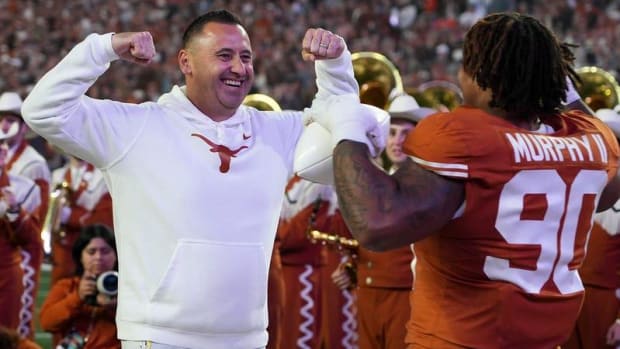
377 77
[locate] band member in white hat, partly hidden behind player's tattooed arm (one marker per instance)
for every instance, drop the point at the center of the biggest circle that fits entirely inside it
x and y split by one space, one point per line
384 279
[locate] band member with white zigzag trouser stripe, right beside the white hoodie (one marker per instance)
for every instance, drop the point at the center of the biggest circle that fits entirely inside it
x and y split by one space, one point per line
306 206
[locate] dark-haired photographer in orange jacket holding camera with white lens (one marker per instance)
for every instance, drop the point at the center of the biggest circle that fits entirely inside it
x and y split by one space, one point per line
77 310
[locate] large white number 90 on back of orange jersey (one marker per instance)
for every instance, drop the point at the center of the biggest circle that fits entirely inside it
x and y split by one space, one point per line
555 233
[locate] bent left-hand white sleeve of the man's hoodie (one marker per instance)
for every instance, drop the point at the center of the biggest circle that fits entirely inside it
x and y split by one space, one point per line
98 131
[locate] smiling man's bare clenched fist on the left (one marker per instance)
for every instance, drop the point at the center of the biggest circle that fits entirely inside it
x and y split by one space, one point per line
136 47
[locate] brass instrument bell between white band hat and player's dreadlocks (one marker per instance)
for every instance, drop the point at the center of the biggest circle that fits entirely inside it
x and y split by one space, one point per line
437 94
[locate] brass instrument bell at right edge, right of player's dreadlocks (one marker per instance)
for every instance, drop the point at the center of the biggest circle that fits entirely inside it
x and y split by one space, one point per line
598 88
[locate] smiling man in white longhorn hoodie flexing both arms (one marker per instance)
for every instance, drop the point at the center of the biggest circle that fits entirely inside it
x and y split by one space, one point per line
196 178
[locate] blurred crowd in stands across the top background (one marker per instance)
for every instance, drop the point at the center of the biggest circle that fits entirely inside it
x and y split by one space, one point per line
422 37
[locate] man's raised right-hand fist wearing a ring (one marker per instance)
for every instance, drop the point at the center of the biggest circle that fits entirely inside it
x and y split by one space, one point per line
319 43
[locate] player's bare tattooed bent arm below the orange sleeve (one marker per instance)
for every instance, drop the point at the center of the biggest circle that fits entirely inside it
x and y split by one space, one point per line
384 212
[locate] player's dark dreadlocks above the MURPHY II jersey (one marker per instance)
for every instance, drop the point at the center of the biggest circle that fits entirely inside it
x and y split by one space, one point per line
521 61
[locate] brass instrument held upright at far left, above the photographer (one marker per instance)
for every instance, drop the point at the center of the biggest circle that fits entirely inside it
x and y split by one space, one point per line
51 228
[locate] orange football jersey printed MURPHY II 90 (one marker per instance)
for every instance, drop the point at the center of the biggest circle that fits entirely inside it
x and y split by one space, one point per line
503 272
